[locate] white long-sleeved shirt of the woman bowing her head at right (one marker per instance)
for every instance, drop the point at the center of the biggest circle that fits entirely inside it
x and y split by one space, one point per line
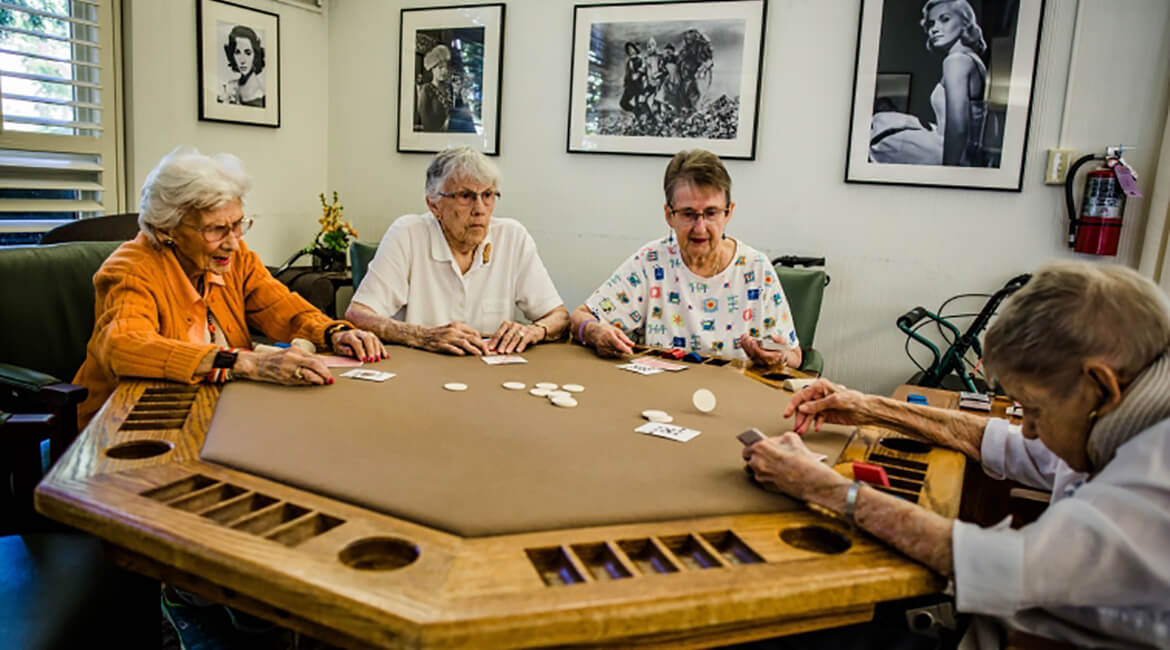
1095 570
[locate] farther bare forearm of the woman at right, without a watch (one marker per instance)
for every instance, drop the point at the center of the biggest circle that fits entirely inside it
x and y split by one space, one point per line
955 430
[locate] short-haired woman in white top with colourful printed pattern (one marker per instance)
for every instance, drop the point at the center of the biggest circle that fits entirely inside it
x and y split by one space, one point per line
697 289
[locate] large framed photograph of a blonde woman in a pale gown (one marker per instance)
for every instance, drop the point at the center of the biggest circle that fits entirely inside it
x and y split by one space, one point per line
942 93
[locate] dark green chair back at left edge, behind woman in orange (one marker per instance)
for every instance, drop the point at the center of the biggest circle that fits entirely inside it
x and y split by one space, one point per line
47 295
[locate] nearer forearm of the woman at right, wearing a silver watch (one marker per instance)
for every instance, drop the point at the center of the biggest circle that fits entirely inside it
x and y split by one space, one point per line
913 530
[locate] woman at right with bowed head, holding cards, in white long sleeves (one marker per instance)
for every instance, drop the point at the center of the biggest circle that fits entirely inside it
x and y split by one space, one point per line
1086 350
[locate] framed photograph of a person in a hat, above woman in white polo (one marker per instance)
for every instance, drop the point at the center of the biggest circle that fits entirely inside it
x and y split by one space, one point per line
451 67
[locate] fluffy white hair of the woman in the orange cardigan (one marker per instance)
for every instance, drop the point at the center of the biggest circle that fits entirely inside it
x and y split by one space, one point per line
187 182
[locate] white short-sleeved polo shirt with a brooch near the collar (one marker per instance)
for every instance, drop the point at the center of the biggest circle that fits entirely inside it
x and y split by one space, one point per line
415 278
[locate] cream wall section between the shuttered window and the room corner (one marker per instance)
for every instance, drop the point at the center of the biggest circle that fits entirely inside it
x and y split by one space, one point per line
288 165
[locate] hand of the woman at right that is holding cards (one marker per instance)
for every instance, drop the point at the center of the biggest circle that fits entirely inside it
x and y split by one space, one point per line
784 465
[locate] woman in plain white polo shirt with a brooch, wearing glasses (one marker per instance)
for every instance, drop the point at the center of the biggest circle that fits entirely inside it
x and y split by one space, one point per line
450 281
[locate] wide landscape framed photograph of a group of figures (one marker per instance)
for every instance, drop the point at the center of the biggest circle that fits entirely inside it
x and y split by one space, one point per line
658 78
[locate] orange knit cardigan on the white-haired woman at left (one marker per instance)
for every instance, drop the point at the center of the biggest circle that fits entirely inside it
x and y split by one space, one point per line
150 320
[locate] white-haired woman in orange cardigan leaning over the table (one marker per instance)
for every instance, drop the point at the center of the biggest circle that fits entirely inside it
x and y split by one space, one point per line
176 302
